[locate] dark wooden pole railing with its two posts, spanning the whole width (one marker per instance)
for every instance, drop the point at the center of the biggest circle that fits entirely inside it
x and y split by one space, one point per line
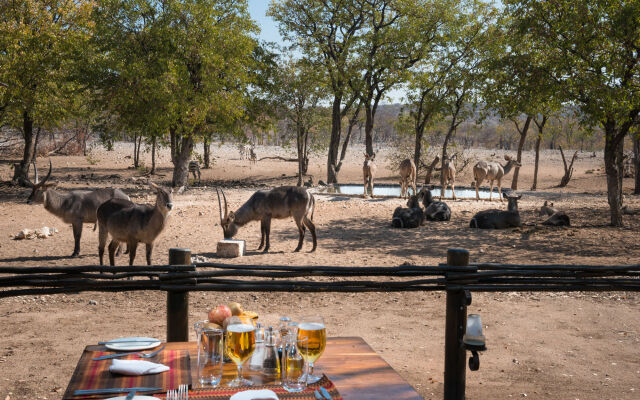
457 277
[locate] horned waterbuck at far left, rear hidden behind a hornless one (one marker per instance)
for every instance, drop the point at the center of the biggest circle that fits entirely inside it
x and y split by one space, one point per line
75 207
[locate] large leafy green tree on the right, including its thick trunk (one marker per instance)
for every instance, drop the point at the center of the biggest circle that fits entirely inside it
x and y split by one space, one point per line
591 50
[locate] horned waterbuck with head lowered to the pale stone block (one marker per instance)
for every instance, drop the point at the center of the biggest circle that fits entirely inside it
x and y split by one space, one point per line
264 205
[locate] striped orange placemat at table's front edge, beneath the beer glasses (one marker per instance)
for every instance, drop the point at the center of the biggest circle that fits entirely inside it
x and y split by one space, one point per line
223 392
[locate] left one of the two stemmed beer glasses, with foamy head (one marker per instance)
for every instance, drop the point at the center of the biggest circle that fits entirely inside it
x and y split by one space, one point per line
240 342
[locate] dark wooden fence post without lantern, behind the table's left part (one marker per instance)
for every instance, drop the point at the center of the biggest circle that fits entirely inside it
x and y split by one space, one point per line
178 302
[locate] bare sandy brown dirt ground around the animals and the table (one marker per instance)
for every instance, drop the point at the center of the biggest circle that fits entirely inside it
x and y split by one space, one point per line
540 345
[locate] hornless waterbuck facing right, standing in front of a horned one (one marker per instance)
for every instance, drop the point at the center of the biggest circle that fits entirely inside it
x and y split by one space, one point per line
132 223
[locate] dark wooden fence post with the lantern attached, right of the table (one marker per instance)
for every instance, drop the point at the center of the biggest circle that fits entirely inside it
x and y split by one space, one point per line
454 353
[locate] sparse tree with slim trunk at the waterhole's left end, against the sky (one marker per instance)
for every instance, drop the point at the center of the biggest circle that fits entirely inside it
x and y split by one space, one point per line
327 32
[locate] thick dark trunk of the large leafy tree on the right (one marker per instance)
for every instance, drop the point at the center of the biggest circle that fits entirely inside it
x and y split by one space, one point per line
613 152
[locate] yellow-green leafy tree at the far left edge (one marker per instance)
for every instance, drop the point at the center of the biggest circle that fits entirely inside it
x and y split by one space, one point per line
41 44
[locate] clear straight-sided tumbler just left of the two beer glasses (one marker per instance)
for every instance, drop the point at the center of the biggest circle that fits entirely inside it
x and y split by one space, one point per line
210 356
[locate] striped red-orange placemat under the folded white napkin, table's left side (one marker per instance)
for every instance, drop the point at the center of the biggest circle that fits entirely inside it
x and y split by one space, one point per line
91 374
